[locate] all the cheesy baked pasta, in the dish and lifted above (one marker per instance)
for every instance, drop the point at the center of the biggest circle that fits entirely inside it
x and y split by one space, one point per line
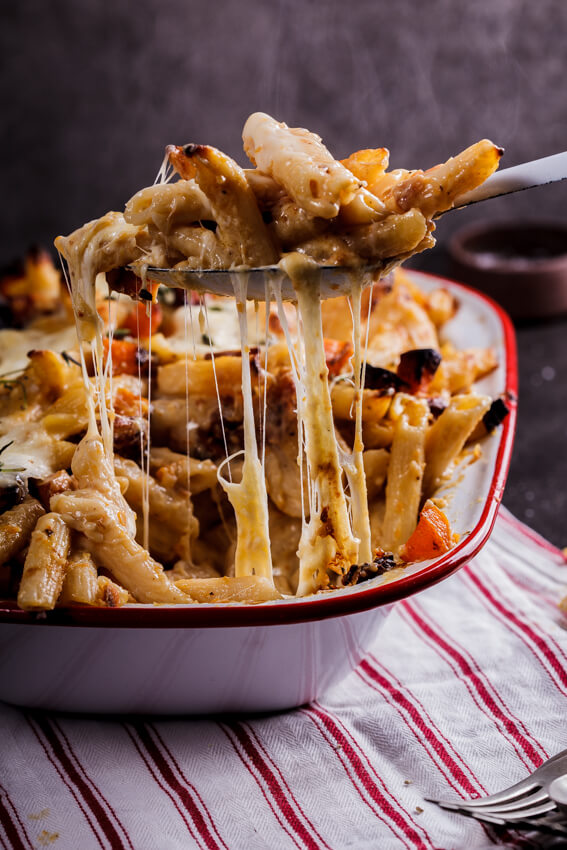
169 445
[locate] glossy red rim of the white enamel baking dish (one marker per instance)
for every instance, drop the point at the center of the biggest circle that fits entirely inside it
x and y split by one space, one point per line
336 603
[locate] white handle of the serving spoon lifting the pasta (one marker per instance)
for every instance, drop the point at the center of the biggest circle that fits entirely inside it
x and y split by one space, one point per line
550 169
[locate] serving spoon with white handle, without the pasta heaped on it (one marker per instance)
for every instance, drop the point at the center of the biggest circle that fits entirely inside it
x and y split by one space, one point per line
338 280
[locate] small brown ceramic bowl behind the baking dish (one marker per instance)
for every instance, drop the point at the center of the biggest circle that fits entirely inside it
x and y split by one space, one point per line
521 265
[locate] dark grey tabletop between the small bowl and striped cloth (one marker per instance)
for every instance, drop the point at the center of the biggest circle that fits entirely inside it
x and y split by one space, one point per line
536 491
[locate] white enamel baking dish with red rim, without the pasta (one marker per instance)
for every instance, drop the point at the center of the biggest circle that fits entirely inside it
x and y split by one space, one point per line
206 659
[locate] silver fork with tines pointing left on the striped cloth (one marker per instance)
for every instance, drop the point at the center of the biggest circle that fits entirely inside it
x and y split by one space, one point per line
538 802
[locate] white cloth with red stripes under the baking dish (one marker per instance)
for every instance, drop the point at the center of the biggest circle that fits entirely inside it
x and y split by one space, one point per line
463 693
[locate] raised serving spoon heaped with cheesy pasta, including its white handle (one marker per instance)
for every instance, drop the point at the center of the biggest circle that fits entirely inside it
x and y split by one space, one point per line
218 226
